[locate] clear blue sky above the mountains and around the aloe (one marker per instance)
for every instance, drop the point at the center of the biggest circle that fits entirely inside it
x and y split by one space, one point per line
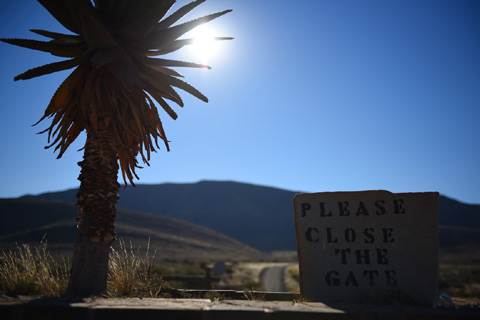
310 96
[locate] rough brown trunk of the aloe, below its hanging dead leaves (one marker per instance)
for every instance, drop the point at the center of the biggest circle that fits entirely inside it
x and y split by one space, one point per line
96 200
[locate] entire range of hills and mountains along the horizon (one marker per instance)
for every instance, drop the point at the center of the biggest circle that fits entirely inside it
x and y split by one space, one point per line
258 216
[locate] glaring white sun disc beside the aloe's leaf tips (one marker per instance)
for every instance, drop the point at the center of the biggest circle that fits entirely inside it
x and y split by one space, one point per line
204 47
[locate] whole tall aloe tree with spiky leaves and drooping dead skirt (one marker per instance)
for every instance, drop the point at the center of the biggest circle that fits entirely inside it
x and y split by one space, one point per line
113 93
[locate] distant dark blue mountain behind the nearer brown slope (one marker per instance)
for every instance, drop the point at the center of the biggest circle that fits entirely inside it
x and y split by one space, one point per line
261 217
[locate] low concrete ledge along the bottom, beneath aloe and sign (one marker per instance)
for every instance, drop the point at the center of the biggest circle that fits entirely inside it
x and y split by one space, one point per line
201 309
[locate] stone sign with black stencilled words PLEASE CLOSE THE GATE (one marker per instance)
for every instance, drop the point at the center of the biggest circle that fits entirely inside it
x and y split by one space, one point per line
368 246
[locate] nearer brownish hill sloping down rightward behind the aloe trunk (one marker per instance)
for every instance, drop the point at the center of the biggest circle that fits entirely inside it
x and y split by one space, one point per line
28 220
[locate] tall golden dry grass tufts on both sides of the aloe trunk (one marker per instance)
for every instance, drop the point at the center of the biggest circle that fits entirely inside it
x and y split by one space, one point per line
32 271
